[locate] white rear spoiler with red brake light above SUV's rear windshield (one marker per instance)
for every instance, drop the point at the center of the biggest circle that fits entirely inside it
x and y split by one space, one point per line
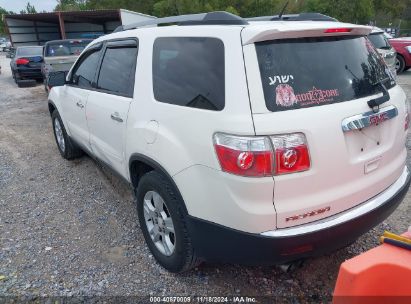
270 31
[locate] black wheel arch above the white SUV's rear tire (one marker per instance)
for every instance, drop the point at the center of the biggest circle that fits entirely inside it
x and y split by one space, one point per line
140 164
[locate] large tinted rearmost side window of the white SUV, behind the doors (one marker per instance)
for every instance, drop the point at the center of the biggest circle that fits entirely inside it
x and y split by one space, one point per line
189 72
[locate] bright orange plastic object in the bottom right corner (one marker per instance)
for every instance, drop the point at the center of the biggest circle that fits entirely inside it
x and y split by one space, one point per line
380 275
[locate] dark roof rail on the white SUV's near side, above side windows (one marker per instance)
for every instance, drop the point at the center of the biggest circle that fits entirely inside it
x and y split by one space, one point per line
212 18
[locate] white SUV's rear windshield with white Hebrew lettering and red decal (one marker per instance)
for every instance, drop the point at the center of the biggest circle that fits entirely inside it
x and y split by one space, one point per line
307 72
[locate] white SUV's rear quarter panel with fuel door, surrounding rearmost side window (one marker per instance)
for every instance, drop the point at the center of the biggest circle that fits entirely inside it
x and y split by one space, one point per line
180 139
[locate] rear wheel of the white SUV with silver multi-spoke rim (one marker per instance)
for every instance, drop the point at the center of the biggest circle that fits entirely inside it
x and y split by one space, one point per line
180 255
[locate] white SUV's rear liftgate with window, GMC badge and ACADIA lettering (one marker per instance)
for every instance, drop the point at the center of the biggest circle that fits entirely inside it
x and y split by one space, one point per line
317 83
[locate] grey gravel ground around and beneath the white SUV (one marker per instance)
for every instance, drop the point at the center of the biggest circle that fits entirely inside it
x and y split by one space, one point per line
71 229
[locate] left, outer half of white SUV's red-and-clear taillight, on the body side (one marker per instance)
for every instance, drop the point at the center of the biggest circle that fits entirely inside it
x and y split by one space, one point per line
246 156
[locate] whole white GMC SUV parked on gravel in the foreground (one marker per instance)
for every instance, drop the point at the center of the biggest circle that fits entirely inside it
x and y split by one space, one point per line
254 142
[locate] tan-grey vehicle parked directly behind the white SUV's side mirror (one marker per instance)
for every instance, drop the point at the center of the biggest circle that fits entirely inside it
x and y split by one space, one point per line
60 55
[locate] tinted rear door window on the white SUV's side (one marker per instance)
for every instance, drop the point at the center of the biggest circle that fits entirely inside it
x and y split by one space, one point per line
117 70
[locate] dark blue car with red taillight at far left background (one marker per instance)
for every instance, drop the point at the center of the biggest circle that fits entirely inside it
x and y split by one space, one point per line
27 62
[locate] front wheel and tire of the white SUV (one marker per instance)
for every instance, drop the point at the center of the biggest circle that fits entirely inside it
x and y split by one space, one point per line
67 148
